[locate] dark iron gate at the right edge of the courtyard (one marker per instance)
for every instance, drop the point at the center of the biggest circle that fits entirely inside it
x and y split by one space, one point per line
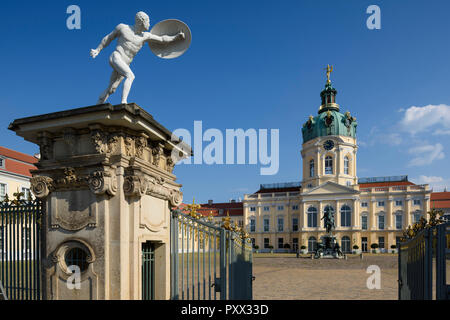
415 264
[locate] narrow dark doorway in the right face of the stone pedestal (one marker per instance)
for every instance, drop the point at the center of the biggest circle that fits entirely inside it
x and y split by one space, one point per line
148 271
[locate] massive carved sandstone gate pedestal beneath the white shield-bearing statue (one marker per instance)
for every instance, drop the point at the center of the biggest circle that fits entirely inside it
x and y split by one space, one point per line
105 175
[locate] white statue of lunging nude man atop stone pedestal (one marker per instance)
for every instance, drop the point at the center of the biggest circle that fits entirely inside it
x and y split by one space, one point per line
130 40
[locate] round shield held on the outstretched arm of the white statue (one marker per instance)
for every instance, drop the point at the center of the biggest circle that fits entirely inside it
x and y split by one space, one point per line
174 49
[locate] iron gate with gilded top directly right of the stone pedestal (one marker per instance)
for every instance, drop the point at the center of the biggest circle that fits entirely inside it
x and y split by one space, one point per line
209 261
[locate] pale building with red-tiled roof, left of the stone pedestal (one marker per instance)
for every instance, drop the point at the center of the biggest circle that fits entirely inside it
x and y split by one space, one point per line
15 172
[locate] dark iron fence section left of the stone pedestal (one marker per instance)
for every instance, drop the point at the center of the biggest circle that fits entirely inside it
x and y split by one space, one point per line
20 244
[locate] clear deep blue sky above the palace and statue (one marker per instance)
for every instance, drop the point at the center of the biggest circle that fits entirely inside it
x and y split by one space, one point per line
251 64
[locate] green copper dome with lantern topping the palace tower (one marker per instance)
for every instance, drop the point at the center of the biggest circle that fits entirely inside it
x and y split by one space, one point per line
329 122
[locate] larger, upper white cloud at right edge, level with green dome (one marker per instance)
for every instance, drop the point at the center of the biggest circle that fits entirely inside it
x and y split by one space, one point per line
435 118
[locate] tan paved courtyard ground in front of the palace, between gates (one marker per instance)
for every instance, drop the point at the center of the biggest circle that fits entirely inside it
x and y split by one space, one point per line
286 277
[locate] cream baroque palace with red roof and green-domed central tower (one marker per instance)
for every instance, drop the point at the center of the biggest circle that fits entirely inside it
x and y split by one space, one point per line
366 211
